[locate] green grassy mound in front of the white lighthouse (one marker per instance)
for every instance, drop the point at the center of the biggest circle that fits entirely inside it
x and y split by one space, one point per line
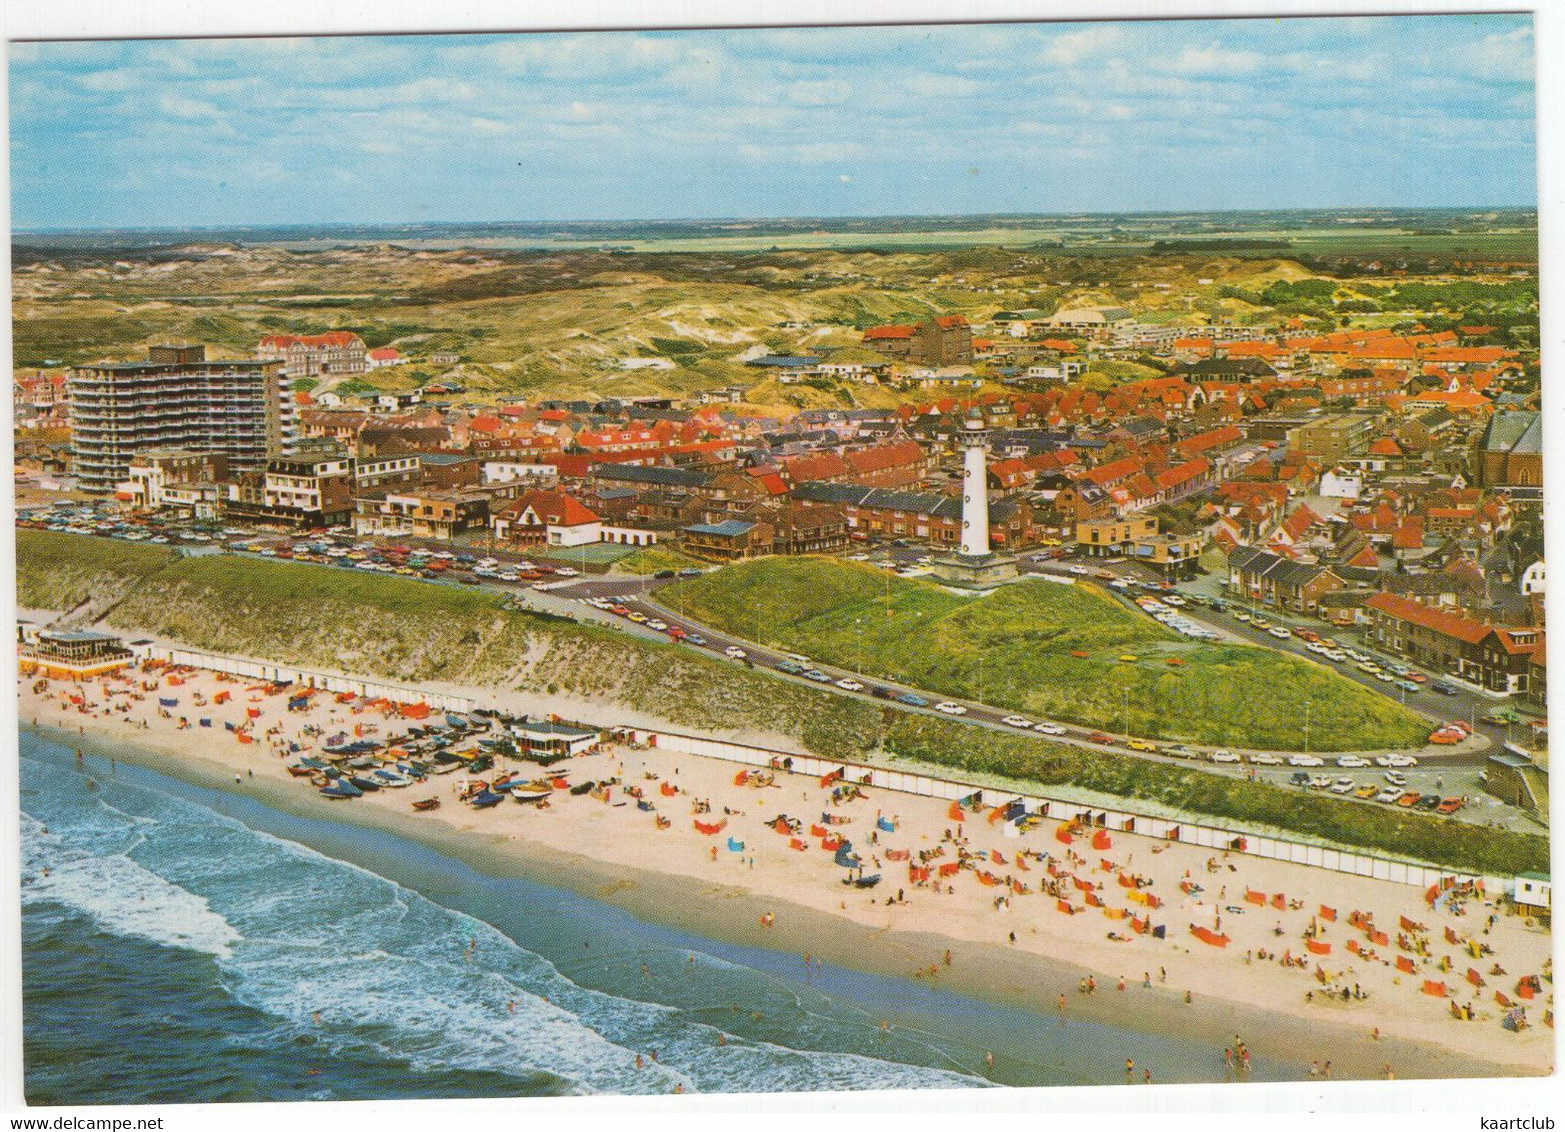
1018 646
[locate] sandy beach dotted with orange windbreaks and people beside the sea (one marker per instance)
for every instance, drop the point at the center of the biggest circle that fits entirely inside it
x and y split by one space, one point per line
1007 942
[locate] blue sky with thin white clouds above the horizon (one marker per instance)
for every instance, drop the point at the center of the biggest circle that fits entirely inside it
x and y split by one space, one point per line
1042 118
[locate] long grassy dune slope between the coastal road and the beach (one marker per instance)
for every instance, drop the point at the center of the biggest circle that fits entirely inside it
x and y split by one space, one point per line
317 616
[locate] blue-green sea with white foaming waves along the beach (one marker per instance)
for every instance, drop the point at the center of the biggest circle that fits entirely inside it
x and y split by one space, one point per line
184 945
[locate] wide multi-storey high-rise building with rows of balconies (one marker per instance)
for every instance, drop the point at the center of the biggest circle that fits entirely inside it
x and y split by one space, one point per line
174 400
